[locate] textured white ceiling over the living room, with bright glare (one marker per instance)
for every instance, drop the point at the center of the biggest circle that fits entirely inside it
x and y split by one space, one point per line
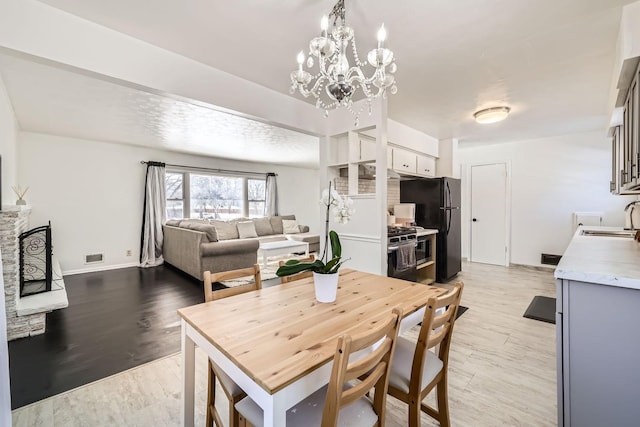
47 99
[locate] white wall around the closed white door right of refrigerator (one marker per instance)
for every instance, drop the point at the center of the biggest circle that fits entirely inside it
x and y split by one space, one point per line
551 179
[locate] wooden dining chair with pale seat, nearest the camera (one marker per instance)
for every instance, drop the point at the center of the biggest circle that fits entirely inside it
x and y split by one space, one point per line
345 401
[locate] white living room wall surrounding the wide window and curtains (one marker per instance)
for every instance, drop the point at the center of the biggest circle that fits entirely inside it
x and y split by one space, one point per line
93 193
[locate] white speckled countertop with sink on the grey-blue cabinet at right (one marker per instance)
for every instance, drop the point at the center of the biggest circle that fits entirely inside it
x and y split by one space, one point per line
612 261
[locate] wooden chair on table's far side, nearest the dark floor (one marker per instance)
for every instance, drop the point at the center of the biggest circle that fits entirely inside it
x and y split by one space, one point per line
230 388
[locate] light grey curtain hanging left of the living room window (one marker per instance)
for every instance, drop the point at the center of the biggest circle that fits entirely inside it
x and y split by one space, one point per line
154 215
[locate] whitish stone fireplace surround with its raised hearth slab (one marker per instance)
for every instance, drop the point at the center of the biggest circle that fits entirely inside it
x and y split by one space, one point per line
25 316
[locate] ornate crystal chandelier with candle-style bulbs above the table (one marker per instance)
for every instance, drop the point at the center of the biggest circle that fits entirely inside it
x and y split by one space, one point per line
337 81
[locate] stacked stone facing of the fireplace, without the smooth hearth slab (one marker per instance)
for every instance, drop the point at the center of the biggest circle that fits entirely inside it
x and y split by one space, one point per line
14 220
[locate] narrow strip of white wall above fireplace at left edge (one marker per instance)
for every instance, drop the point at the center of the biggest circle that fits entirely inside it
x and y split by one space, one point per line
8 146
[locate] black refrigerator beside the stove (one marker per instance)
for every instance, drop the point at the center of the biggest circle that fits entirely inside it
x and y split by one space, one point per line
438 207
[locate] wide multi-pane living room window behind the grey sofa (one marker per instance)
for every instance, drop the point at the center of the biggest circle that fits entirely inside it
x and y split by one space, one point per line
207 196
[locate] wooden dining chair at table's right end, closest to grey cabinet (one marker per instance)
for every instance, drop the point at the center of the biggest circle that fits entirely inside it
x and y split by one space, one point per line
416 369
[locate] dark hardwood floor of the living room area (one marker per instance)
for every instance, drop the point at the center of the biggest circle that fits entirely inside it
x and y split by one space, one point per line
116 320
